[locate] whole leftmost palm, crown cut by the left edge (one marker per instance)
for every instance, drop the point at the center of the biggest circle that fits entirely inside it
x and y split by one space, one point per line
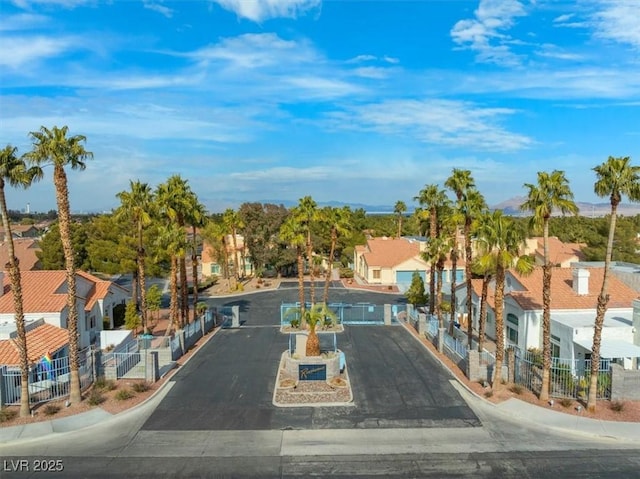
13 170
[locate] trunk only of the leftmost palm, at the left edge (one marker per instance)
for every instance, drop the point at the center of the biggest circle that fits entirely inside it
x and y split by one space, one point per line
16 288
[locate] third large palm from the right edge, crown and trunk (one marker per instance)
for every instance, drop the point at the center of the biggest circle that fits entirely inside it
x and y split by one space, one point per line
501 240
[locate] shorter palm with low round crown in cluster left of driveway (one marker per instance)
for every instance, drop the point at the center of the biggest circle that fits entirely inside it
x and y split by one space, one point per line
172 241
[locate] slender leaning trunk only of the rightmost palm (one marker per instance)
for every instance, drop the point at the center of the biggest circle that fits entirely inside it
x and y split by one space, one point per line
601 309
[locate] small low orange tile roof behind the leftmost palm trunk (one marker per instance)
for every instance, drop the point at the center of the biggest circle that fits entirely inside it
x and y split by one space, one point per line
43 339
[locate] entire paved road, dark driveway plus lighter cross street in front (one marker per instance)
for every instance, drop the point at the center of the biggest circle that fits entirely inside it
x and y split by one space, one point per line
408 420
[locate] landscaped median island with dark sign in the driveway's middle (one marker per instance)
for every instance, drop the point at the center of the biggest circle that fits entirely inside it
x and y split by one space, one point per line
318 389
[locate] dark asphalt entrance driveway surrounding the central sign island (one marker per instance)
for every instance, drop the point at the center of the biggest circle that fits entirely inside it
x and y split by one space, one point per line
229 384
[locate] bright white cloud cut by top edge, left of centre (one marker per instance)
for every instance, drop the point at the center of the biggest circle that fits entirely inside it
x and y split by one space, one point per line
259 10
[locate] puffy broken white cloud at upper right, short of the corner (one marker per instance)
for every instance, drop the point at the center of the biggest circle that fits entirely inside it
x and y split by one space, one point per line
485 35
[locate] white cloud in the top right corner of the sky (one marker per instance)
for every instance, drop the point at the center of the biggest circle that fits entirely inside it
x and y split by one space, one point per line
618 20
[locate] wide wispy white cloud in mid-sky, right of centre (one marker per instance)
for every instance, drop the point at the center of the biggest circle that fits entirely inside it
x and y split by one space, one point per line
438 122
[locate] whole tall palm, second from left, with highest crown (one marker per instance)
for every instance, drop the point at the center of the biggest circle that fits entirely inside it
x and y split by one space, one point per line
52 146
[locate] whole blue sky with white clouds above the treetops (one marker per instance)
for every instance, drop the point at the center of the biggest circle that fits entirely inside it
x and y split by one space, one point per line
352 101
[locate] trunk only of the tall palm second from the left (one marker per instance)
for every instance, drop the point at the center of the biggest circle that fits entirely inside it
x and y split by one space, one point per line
64 217
